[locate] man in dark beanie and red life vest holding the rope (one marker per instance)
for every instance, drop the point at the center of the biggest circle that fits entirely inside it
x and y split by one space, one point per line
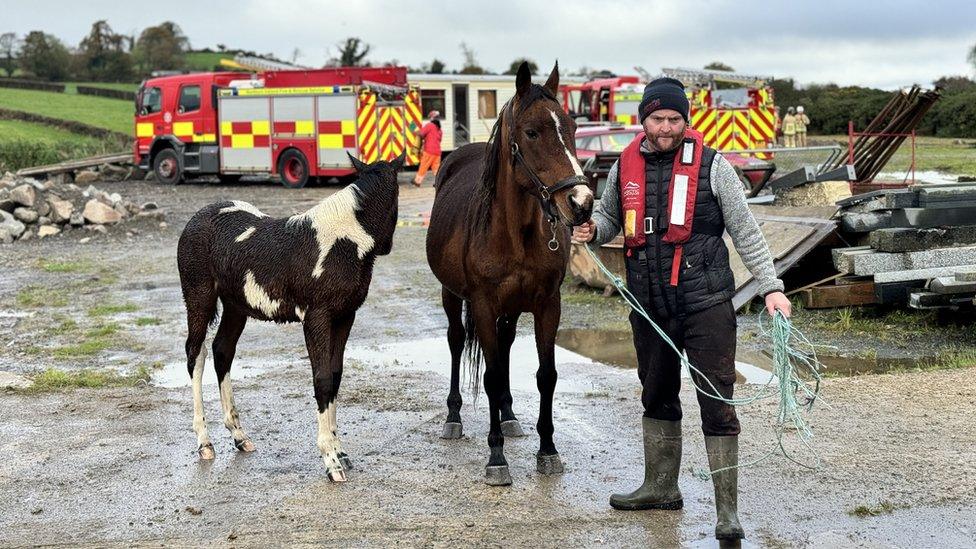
678 267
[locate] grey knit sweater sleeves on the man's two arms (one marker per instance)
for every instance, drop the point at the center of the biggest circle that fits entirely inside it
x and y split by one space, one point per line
739 222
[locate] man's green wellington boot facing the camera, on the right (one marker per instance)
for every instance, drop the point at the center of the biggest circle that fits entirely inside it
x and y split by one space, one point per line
724 452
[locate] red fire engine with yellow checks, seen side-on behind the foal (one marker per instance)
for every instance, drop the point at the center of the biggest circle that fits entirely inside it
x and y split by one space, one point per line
293 123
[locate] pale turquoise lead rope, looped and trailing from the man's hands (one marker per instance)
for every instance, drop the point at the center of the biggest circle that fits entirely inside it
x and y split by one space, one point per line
793 356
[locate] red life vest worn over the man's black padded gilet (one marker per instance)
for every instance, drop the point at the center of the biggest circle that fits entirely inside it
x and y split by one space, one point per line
682 192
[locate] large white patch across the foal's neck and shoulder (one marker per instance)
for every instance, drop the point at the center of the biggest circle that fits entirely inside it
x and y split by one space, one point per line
335 218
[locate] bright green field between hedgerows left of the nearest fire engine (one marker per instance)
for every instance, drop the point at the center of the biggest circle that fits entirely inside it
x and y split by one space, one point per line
111 114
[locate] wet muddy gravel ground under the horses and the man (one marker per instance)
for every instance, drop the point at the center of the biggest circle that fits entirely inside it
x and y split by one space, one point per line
117 466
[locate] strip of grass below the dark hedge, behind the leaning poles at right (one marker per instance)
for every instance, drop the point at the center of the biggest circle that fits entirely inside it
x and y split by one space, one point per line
942 154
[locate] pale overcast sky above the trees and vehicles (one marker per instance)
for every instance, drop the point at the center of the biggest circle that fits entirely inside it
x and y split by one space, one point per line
881 44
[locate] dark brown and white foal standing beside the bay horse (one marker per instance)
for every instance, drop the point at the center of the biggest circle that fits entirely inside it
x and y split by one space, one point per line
314 268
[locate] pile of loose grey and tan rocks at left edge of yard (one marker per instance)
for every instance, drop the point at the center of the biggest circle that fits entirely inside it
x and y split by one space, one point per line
31 208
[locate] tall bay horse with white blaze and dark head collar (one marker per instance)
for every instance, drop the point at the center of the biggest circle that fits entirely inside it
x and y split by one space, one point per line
498 241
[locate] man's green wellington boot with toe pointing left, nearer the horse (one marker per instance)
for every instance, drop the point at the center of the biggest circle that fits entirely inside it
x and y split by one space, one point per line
662 458
